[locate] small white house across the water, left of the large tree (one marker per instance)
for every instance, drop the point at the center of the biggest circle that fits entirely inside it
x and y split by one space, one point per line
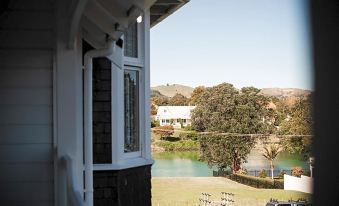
178 116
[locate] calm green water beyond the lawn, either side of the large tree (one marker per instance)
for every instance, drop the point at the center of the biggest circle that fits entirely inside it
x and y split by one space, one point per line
186 164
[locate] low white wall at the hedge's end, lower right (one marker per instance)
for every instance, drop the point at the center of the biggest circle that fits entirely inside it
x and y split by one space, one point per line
302 184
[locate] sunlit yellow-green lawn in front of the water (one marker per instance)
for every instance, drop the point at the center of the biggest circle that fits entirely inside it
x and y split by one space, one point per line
184 191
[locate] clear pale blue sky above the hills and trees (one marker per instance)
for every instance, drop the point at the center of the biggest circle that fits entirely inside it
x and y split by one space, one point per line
261 43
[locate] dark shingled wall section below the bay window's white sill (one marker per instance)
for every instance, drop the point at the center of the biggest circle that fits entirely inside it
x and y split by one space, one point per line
129 187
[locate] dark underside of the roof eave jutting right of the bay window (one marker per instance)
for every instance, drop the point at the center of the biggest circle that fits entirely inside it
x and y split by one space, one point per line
163 8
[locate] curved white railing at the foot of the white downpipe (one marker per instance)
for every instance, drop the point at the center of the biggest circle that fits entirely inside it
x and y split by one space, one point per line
73 190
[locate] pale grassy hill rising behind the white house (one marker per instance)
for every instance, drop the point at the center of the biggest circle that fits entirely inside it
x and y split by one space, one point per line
172 89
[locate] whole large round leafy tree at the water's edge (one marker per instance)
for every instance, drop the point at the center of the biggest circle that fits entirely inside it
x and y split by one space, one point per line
224 109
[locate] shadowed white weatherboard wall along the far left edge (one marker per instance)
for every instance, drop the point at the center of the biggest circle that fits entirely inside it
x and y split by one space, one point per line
26 62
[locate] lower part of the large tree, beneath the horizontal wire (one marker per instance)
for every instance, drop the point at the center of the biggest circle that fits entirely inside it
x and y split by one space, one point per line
223 151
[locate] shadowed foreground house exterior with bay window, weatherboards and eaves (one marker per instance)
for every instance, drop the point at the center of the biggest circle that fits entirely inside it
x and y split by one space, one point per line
74 88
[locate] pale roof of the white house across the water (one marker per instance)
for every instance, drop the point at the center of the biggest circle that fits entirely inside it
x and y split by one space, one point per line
174 112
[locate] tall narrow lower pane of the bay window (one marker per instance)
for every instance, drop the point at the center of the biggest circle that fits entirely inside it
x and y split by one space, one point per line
131 79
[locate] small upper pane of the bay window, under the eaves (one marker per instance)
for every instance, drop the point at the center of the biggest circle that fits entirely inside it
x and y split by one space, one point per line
131 41
